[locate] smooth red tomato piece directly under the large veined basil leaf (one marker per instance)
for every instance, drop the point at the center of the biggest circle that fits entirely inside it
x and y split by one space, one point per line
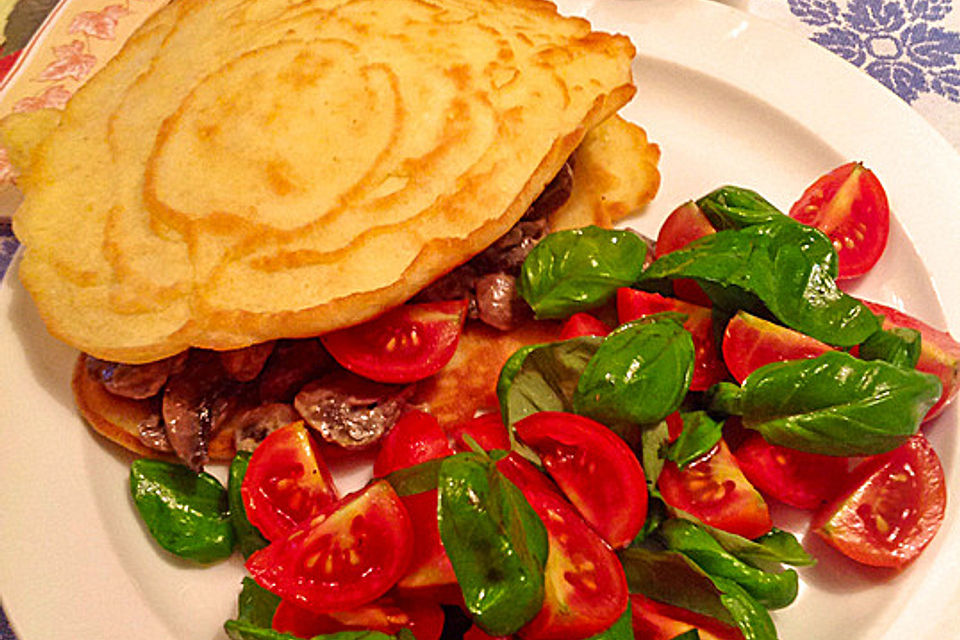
803 480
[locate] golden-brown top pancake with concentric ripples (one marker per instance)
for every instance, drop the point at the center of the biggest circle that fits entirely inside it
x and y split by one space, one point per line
252 169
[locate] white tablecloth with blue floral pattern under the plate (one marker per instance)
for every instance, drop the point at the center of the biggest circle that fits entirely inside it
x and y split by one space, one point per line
910 46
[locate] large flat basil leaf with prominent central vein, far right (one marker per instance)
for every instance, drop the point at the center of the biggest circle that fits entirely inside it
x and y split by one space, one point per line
836 404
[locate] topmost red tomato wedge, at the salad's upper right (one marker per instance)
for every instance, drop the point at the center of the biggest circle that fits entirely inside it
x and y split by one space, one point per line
850 206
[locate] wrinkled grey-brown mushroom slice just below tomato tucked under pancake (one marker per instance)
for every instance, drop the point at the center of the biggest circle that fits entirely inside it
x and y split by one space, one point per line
351 411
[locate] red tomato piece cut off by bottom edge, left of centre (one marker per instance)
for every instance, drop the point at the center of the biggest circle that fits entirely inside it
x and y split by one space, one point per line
387 615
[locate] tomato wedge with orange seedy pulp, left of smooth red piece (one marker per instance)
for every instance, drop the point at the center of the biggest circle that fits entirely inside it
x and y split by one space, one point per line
715 490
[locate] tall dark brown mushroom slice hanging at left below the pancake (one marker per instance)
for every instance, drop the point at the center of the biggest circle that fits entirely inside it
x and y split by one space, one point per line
196 402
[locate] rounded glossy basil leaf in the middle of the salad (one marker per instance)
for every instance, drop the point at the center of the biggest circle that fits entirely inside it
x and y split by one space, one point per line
640 374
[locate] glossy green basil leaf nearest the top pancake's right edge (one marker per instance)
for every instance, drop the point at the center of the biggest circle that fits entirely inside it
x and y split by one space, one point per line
579 269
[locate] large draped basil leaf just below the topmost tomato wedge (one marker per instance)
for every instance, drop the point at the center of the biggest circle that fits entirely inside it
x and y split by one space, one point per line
787 266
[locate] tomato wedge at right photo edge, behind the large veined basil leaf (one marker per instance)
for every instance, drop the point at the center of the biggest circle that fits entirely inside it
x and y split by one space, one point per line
939 352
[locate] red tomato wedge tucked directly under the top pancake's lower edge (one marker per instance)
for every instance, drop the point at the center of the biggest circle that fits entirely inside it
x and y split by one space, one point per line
406 344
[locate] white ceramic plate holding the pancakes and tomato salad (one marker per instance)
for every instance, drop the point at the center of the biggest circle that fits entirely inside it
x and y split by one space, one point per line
730 99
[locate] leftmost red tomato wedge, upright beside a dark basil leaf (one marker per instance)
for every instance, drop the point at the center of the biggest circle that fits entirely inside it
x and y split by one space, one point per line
286 483
